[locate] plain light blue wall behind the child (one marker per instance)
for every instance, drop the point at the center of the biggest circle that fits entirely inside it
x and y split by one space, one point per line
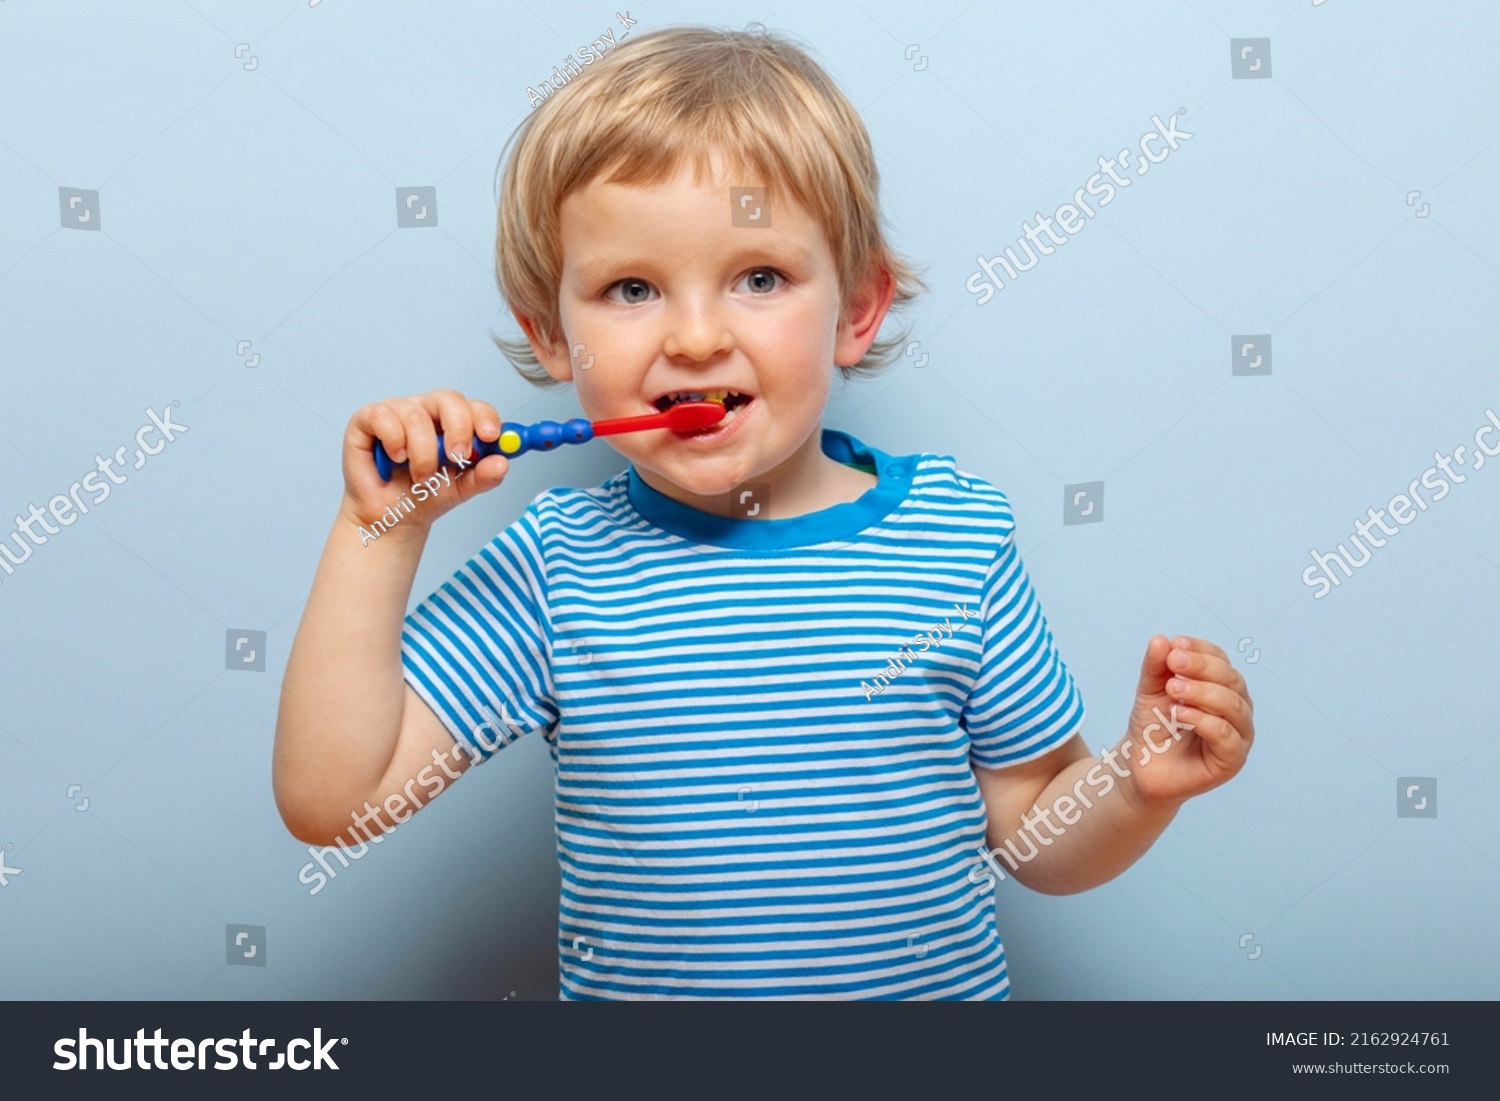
259 205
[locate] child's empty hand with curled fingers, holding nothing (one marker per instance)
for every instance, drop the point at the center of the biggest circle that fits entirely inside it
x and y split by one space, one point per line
1211 698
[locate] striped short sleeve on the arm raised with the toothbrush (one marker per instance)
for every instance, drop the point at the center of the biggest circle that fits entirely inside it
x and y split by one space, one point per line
478 649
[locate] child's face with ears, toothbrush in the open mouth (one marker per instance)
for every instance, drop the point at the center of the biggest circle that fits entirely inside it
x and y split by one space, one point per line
668 296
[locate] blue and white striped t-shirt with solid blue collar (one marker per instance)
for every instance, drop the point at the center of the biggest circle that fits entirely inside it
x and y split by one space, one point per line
763 728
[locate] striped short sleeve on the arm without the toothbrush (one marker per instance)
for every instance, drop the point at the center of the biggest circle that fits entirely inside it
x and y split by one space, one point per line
1024 701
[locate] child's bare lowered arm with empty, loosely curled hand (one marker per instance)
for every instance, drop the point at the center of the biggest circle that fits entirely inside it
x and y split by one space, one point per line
1064 805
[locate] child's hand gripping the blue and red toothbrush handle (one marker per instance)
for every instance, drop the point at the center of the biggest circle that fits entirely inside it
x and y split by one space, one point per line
409 430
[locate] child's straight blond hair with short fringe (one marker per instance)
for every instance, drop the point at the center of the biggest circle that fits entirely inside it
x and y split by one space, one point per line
682 94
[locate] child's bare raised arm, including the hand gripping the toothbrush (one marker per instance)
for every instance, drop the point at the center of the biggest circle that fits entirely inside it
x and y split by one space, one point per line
350 733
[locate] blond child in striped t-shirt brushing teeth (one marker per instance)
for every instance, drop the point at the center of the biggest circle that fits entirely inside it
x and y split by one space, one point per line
791 685
